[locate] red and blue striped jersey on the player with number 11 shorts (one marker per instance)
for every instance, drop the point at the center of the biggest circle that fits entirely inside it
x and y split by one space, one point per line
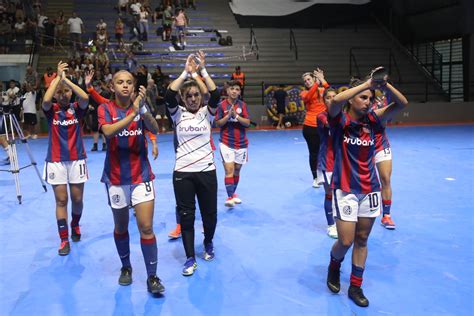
65 135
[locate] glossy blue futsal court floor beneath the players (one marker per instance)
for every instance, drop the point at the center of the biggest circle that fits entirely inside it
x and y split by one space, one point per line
272 251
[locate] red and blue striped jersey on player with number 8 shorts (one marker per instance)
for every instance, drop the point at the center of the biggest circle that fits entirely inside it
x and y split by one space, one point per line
126 161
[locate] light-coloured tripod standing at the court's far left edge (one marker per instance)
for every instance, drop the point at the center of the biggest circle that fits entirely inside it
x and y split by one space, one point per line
11 126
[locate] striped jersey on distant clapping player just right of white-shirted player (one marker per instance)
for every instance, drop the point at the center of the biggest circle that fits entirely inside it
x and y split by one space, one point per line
233 134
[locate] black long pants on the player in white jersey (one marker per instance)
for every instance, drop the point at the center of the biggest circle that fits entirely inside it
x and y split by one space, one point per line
188 185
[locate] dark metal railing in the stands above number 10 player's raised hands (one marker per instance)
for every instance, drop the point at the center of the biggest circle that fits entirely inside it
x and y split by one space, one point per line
392 65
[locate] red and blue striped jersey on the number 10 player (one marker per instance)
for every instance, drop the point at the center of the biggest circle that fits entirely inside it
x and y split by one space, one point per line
354 152
